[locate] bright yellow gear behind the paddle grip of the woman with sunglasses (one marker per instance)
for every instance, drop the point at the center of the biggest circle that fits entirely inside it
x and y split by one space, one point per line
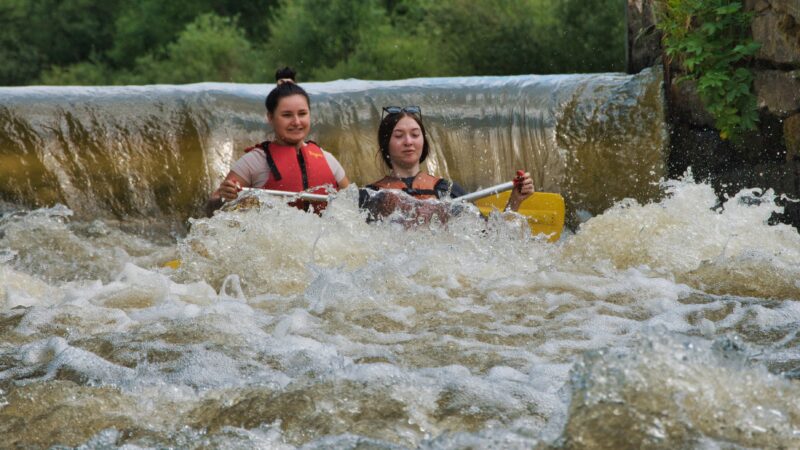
544 210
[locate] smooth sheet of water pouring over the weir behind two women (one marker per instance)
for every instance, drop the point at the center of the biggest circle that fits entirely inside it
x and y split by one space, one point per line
157 151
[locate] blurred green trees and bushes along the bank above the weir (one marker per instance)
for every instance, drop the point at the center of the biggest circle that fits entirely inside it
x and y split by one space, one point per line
98 42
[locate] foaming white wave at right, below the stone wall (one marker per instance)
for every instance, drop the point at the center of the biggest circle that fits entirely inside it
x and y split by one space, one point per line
725 249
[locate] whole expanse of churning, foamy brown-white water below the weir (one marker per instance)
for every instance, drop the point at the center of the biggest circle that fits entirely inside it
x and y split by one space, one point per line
283 329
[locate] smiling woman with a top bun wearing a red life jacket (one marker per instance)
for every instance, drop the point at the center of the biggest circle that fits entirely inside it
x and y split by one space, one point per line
289 163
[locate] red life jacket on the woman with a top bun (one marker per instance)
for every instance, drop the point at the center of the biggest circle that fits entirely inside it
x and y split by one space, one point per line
296 170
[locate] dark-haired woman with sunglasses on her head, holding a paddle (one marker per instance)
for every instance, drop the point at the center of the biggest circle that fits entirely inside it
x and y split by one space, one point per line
404 147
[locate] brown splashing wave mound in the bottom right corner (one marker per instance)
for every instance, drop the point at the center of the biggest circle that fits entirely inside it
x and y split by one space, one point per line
667 389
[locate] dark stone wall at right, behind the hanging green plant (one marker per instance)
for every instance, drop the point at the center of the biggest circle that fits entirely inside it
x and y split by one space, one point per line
767 158
